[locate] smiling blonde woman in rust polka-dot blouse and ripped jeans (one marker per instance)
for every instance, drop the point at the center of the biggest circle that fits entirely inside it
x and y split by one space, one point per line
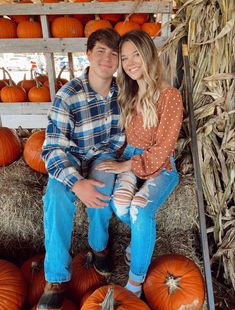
151 114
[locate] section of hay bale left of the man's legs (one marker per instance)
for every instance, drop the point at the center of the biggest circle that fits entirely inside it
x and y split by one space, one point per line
21 223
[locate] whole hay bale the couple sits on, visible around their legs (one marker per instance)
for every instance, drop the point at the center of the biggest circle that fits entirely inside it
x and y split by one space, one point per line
21 220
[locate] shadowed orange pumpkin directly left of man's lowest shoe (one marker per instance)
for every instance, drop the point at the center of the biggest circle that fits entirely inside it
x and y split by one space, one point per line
33 274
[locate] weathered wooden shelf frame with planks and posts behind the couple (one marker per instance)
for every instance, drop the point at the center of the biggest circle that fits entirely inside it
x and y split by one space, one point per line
30 114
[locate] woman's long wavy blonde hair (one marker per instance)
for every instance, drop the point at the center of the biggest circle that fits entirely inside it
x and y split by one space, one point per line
152 74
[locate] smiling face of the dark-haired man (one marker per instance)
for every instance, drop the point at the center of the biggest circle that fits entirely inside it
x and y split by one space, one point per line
103 61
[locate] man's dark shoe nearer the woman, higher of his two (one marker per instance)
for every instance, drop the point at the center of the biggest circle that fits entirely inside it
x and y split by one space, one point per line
102 262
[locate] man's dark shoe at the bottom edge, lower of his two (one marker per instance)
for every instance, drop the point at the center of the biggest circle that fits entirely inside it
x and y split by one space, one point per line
53 296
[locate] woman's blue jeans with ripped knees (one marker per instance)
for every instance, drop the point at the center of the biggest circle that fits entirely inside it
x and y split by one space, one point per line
136 203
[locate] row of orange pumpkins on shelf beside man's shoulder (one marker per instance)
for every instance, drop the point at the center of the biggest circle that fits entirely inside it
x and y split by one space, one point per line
35 89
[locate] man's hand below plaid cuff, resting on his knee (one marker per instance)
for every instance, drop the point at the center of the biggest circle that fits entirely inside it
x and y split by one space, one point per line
85 190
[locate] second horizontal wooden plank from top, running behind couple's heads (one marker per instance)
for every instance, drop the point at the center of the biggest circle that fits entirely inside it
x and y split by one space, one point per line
50 45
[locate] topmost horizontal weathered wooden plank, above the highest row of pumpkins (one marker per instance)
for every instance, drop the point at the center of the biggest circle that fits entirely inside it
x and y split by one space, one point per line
86 8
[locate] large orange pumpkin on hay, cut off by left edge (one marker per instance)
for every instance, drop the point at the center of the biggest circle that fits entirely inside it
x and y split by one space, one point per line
10 146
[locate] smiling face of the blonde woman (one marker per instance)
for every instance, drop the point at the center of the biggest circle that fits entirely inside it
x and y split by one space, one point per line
131 61
